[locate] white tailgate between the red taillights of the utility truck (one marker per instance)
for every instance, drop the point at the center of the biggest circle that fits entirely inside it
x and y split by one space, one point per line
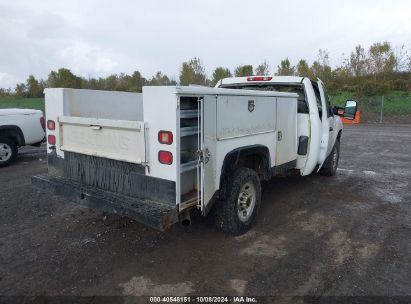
114 139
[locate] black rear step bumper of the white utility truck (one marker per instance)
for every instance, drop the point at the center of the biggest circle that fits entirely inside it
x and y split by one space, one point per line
157 215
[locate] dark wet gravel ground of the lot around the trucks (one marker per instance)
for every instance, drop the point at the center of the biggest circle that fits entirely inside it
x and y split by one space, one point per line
349 235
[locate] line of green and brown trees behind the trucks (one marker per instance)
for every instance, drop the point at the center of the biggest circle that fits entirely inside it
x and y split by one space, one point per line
366 72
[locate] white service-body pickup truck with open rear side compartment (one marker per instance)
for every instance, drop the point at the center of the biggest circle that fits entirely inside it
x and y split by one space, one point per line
157 155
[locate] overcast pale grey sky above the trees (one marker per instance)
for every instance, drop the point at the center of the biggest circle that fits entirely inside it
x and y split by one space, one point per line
96 38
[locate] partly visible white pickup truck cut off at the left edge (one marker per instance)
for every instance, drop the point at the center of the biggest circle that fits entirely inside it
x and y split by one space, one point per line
19 127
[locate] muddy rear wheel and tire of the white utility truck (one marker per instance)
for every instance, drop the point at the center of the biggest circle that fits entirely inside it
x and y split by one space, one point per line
236 212
